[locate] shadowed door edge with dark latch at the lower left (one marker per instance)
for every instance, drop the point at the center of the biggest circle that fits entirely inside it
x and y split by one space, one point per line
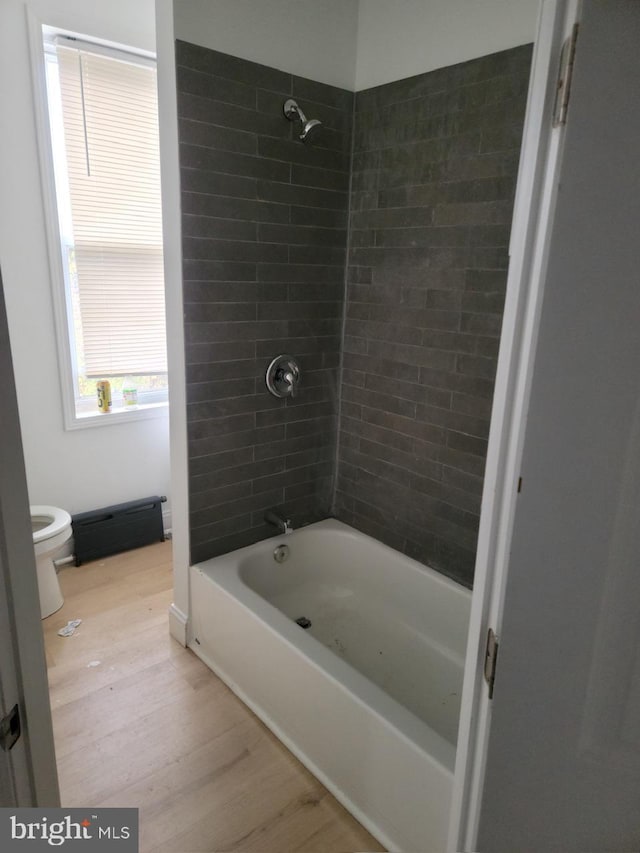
28 772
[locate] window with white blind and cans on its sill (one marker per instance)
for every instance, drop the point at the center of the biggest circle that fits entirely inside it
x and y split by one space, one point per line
103 121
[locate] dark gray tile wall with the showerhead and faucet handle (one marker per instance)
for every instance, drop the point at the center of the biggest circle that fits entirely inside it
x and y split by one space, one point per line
264 222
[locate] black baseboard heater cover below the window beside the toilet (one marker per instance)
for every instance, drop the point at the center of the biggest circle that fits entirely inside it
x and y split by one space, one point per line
117 528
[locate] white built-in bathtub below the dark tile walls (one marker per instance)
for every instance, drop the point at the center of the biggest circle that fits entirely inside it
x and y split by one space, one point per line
368 697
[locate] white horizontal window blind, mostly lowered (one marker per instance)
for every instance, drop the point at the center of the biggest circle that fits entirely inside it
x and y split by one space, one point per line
110 120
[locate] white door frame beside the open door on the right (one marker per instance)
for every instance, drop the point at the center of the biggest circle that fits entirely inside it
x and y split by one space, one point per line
532 222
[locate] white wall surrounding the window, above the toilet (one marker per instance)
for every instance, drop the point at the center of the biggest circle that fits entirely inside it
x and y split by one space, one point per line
87 468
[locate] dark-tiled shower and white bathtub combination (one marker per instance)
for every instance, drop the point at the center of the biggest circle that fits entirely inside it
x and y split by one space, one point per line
374 255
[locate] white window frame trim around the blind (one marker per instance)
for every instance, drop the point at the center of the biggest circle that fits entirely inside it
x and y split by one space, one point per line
40 33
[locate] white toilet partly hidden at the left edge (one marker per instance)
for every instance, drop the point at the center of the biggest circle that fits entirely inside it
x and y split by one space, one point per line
51 528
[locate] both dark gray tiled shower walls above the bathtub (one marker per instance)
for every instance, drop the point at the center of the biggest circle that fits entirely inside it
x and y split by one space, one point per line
264 220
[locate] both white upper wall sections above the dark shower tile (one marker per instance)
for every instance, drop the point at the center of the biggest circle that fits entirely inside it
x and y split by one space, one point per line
356 43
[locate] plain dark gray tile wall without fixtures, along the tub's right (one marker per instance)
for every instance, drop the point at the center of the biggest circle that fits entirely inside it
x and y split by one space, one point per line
434 170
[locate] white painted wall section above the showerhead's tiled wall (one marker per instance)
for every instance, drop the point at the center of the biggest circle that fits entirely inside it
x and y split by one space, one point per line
310 38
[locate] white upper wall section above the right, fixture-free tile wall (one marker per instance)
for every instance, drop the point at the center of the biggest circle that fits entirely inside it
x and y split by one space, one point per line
405 37
